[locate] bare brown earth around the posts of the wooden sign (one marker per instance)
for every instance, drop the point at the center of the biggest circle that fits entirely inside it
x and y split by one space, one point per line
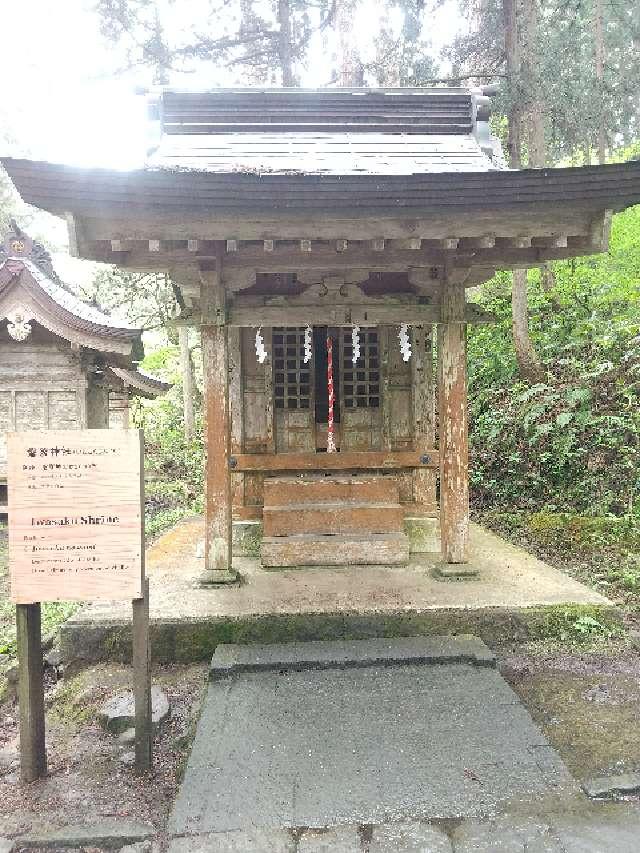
88 775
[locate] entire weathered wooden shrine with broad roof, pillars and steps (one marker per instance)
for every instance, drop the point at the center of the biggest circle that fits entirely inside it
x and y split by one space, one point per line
323 241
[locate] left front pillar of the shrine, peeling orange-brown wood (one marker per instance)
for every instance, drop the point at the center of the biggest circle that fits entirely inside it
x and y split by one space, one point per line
215 355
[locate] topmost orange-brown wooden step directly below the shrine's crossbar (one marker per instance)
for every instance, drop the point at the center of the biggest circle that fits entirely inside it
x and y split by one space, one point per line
296 491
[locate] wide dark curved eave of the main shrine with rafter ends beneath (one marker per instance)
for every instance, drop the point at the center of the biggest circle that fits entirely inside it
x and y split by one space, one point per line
171 219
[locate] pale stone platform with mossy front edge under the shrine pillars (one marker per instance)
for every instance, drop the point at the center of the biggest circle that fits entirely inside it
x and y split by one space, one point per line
514 597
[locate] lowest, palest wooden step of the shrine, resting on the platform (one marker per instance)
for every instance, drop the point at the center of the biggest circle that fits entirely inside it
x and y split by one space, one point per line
375 549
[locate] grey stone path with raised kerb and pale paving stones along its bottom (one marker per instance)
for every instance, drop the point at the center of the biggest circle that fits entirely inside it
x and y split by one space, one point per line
413 748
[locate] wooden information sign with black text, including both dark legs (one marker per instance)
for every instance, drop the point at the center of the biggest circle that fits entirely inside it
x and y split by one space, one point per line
76 533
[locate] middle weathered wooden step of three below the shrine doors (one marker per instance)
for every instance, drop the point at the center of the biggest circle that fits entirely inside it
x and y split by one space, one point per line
333 518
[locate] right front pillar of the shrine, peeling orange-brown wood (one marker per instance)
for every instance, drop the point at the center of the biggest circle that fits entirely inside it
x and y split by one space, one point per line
453 422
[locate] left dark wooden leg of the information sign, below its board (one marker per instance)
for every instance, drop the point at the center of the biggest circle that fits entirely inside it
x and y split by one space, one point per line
33 756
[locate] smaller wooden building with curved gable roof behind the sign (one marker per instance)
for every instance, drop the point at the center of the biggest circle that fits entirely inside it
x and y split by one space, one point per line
63 364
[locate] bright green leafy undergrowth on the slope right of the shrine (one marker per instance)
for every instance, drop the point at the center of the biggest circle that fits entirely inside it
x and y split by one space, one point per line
571 442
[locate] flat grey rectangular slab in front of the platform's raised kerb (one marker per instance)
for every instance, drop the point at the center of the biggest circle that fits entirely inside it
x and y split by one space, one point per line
300 747
